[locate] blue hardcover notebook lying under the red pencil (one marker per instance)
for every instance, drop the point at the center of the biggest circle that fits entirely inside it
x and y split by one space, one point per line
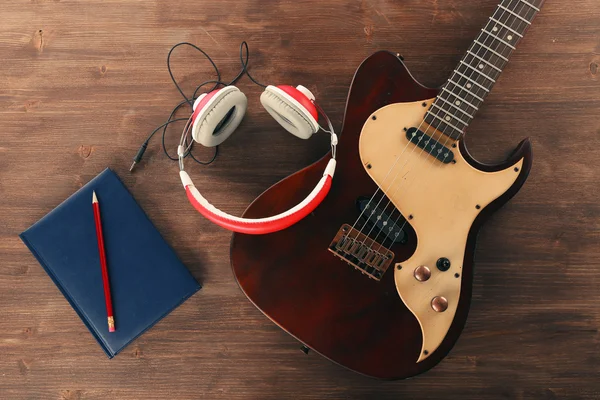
147 280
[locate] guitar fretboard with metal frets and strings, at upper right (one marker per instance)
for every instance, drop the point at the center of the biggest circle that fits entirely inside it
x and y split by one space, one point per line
478 71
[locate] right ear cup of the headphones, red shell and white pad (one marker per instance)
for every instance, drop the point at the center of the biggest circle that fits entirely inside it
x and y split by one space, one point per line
292 108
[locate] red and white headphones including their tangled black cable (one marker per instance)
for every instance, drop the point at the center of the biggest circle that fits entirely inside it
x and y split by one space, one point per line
215 116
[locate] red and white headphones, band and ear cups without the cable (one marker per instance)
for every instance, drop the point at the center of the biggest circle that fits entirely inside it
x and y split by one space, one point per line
218 113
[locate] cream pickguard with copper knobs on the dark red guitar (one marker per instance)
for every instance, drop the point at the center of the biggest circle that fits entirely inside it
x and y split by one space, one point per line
442 201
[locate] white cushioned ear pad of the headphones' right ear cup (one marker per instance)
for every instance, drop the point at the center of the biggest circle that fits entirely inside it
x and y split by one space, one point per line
293 118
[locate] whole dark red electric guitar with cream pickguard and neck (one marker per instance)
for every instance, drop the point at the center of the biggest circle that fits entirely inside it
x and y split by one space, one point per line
378 278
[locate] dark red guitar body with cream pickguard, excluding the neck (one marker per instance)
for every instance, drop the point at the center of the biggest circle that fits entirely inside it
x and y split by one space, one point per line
384 328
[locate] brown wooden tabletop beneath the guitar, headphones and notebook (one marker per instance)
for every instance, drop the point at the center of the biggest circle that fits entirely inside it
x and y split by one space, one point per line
81 85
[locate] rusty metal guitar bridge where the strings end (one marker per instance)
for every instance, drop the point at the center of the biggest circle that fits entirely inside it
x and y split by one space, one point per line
361 252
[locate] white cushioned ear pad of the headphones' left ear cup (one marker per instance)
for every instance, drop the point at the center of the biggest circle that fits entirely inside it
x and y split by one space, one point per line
220 117
